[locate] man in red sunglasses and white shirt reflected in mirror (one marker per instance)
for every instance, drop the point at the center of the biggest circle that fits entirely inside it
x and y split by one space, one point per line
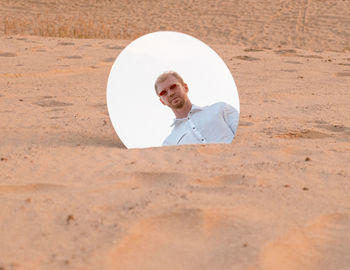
216 123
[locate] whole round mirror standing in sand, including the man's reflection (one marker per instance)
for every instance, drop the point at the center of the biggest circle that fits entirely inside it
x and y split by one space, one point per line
153 83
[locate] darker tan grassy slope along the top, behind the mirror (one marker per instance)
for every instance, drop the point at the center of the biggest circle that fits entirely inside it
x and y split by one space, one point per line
255 24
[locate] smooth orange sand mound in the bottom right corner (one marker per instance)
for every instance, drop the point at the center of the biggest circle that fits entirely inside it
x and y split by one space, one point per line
324 243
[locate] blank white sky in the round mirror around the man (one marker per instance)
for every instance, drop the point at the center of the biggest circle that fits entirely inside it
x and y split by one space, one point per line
137 115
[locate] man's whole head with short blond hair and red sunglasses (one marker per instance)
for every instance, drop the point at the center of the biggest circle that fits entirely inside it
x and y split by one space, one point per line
172 90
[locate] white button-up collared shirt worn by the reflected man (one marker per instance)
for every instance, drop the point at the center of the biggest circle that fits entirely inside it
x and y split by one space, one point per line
216 123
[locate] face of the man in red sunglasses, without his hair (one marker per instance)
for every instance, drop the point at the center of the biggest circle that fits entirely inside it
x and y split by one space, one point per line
172 93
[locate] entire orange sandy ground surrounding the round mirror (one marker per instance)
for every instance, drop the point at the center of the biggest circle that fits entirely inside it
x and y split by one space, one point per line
73 197
